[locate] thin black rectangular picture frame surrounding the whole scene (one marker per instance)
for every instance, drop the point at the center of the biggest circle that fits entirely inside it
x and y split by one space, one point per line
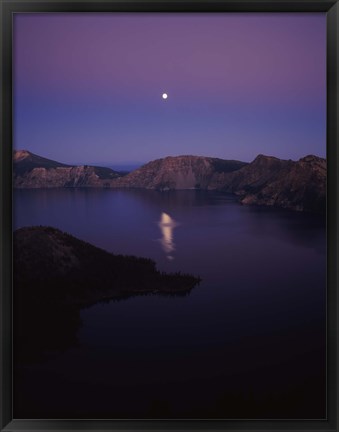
7 9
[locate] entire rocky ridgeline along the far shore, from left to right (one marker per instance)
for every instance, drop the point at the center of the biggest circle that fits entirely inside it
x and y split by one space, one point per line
297 185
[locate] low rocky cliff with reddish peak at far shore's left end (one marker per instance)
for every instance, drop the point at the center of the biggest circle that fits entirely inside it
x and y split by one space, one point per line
32 171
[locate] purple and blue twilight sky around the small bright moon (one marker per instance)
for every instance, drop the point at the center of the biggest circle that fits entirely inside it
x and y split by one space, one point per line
87 87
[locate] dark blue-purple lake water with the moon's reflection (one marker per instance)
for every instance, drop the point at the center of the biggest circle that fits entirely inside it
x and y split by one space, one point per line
248 342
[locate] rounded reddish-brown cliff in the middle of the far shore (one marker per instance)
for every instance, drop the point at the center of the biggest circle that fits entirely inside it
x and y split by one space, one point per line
180 172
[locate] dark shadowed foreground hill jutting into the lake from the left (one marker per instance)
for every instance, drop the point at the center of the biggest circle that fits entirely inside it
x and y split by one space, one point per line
56 274
